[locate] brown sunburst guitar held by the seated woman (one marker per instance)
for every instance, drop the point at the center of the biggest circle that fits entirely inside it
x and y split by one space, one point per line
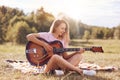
37 55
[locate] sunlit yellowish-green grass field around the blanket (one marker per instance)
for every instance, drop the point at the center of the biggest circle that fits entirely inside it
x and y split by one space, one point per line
111 56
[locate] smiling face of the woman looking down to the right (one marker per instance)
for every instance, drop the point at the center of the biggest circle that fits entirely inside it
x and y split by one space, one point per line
60 30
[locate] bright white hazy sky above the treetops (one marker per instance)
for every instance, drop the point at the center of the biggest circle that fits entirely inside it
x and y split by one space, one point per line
92 12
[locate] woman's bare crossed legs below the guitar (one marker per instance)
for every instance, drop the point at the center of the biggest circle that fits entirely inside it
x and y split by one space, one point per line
57 61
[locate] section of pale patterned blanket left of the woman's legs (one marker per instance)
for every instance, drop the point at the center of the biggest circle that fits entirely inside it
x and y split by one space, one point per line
25 66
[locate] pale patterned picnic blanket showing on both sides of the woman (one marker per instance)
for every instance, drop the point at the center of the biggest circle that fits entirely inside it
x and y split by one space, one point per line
26 67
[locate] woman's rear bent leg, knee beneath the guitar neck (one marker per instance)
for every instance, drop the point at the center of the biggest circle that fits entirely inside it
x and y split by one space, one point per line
75 59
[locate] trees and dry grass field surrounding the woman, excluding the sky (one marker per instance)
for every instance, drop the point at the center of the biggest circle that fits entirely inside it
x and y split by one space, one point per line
15 25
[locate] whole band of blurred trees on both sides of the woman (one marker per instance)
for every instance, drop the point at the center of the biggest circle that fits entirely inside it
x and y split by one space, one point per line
12 19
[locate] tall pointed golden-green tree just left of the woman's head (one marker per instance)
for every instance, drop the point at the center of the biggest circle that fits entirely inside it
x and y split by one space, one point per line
43 20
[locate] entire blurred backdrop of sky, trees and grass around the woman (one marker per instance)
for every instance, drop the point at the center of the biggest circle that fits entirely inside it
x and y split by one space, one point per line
92 23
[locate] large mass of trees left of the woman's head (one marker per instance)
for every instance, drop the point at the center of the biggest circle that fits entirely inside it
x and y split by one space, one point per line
14 25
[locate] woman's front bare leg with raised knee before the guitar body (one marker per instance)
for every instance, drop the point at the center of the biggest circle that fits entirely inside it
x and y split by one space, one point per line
57 61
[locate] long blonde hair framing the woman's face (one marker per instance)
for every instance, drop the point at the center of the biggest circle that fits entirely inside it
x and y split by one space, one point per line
66 36
